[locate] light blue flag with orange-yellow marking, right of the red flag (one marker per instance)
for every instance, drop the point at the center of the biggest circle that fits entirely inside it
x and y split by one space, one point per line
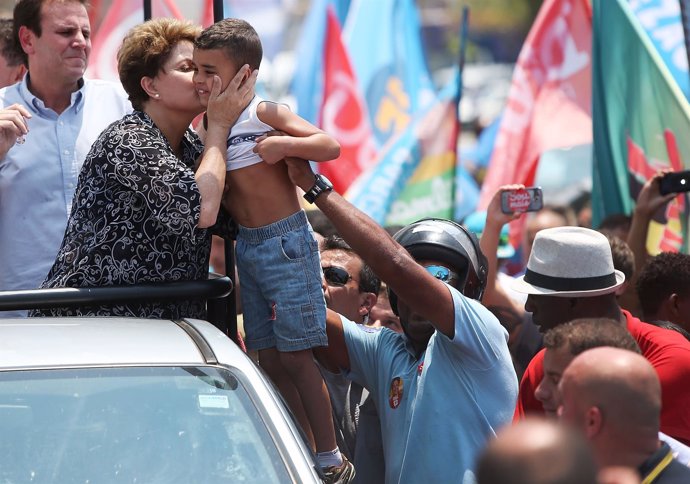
384 41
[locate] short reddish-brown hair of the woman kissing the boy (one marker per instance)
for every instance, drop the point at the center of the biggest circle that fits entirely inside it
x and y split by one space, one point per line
144 51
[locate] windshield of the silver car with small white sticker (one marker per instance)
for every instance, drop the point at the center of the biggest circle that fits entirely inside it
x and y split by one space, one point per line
134 425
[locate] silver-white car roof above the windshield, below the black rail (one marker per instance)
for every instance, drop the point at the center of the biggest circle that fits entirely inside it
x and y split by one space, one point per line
60 342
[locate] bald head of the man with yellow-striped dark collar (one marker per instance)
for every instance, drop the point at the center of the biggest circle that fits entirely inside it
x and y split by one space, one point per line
604 389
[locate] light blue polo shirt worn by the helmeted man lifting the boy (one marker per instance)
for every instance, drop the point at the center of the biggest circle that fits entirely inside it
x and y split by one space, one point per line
451 400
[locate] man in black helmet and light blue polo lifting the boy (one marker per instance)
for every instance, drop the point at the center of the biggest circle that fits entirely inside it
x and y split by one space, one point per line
447 384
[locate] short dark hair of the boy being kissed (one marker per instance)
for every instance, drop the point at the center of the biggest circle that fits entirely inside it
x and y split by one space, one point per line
236 38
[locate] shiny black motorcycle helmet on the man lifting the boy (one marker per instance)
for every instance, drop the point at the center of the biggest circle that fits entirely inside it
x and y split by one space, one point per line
449 243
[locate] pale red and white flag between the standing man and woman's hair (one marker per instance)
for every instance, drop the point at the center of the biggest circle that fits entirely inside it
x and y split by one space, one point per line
122 16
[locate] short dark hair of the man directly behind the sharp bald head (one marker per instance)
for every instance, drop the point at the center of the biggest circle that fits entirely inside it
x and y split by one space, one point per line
586 333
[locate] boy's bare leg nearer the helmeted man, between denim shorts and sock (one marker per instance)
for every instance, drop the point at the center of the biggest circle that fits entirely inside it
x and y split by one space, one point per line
311 390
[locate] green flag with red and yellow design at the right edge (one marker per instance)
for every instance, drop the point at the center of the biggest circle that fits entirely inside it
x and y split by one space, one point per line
641 121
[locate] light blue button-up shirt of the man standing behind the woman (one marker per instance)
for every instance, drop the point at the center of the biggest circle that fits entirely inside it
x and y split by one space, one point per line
38 178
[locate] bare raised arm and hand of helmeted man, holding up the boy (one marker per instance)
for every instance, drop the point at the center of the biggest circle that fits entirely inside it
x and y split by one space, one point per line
424 294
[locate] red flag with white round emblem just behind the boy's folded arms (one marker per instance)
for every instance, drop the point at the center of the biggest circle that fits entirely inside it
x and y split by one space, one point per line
344 113
